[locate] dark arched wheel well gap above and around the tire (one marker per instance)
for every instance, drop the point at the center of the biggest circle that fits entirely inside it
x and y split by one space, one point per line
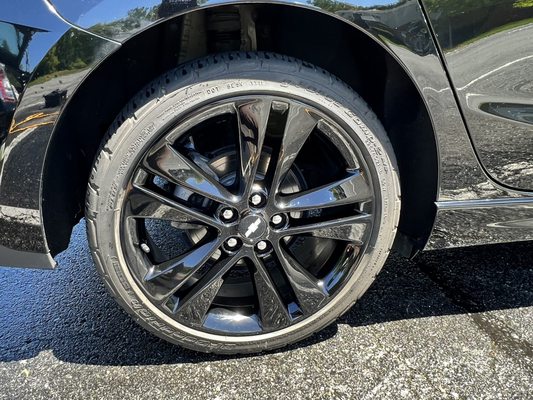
337 47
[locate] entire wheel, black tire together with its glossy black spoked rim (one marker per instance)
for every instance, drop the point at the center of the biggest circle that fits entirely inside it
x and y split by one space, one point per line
302 280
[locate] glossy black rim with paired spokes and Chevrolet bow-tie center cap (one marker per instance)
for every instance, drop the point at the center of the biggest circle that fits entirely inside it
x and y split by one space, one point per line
263 242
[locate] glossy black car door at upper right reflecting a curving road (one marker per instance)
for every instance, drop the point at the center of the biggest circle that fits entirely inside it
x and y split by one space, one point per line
488 48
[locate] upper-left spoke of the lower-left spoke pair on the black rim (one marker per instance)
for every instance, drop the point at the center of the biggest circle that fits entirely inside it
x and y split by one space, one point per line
169 276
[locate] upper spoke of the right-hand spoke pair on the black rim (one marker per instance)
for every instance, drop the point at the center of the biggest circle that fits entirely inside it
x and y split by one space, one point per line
352 189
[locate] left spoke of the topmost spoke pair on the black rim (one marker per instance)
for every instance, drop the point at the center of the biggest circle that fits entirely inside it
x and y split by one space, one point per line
252 119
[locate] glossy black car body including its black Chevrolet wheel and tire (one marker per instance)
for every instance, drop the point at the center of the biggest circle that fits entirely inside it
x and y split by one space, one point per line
245 168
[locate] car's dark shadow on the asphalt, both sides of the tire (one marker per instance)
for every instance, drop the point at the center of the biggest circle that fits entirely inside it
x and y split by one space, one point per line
69 313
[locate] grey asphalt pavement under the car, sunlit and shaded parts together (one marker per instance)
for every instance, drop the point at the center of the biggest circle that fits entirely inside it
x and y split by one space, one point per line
450 324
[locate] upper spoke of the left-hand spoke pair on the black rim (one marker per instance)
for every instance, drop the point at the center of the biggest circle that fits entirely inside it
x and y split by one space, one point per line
168 163
